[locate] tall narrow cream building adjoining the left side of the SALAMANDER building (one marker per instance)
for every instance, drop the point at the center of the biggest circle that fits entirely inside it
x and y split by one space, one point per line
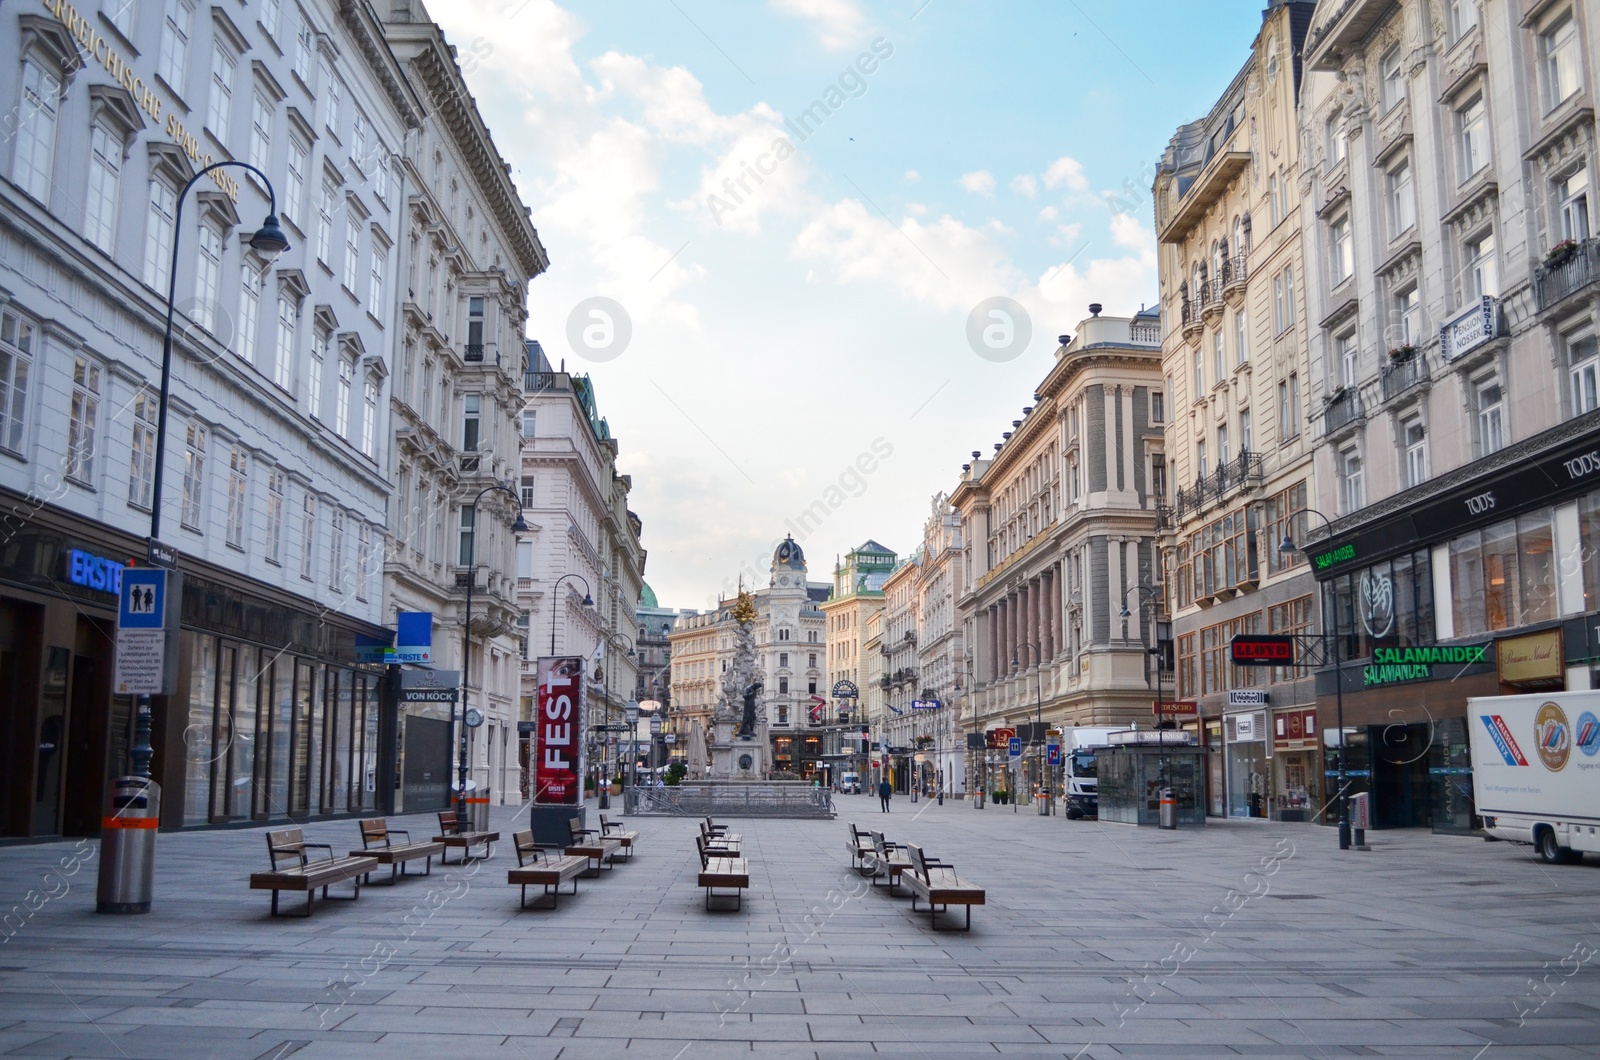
1230 219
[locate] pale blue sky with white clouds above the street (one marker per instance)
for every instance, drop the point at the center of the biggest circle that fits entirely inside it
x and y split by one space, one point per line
799 206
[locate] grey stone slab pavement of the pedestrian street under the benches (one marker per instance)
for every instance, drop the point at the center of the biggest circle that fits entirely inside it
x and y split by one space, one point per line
1098 941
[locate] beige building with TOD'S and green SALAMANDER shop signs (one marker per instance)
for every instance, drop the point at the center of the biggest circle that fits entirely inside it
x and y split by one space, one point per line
1454 283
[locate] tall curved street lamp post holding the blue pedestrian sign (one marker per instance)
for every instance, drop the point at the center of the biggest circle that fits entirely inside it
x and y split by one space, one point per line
268 241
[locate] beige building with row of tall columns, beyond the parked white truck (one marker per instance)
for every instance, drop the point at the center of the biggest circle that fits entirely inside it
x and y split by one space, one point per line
1058 526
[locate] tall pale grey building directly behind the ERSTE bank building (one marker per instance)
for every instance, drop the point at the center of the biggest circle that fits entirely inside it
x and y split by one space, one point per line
457 400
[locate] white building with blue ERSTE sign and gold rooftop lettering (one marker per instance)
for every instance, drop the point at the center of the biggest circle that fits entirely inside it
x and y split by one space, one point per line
276 464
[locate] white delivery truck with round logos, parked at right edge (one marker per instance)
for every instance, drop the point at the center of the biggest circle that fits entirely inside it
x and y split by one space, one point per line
1537 771
